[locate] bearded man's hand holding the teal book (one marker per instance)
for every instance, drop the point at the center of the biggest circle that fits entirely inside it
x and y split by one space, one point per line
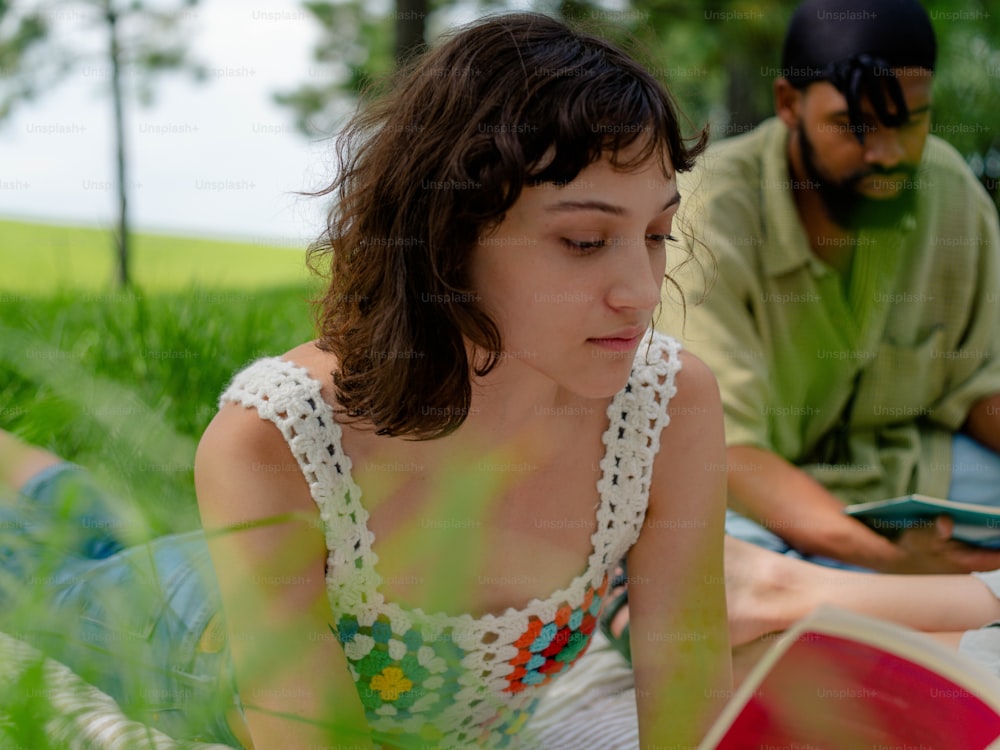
930 549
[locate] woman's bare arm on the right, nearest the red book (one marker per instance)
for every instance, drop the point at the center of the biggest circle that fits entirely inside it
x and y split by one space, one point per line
679 640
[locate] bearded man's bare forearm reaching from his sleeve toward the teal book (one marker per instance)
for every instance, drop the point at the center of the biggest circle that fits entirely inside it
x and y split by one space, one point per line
793 505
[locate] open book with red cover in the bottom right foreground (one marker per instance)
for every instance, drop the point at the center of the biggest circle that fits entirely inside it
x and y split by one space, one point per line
842 681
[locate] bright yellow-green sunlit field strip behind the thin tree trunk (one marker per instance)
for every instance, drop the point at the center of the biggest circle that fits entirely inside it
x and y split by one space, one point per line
40 259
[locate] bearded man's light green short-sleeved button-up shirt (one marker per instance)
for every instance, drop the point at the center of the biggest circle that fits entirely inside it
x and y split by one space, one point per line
861 380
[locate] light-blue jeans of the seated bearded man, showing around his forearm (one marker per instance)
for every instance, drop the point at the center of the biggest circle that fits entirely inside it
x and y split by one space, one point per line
975 478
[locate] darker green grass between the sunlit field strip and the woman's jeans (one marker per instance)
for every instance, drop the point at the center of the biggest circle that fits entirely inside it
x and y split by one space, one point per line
125 385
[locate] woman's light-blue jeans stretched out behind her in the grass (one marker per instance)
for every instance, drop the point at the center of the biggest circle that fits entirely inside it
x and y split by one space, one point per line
128 618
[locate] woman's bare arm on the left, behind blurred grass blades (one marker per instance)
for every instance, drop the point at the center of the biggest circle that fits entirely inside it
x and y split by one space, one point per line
269 555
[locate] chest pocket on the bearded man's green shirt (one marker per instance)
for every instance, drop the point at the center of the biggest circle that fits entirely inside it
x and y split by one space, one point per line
901 383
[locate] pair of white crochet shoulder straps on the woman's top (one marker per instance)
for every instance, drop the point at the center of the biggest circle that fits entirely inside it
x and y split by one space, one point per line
286 395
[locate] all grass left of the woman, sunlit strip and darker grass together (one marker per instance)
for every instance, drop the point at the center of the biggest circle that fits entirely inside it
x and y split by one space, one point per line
124 383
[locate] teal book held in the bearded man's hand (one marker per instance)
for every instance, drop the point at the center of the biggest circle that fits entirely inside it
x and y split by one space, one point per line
974 524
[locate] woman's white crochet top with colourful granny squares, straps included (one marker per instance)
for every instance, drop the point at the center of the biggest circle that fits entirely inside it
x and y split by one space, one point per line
438 680
